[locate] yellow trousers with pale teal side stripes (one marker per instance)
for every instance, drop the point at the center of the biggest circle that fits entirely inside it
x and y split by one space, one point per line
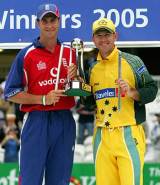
119 155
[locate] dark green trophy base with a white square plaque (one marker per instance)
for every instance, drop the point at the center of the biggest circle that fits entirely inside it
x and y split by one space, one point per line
77 88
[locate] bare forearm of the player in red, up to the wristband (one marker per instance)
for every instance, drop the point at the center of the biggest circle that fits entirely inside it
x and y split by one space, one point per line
26 98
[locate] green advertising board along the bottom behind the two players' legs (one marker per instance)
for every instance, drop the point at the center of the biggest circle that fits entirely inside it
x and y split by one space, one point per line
83 174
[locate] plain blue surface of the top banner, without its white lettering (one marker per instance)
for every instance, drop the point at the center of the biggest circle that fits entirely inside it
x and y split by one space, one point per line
84 7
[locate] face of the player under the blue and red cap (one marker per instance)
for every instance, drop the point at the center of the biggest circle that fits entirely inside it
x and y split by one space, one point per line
49 26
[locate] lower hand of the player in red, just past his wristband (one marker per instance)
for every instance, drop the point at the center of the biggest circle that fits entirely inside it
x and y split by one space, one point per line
54 96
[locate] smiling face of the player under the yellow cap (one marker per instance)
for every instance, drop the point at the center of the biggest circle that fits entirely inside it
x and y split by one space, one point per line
104 41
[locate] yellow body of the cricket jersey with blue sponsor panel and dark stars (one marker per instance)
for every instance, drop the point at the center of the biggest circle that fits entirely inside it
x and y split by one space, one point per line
102 79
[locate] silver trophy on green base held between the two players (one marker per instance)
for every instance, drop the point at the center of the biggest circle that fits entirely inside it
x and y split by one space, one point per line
77 87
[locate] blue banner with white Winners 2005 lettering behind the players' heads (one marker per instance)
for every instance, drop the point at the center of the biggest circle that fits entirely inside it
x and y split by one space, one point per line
137 20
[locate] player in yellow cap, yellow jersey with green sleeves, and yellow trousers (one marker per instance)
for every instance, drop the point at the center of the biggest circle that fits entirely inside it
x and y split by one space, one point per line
121 88
